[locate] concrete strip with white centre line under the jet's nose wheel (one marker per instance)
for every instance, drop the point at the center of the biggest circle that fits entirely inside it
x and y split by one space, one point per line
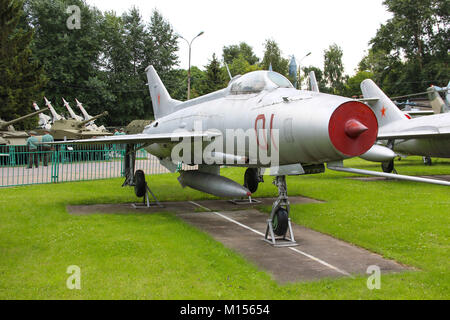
317 256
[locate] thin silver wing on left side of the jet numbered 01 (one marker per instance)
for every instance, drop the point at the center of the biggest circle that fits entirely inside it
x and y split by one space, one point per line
144 138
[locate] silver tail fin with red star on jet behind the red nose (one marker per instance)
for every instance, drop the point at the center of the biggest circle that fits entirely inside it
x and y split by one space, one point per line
385 110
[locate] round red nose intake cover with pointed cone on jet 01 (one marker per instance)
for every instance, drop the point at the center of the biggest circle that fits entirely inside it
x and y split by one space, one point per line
353 128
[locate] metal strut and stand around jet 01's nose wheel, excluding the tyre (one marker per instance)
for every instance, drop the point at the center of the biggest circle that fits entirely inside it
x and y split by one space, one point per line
286 240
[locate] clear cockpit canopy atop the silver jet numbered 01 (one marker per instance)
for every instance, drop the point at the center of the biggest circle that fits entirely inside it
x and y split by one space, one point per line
257 81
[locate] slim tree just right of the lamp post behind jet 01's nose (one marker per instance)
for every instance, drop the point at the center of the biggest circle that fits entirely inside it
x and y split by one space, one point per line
334 69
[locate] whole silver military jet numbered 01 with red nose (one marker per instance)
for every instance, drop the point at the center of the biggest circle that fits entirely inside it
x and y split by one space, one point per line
259 121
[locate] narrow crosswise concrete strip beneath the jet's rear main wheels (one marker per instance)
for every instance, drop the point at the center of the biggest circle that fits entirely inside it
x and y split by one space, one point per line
177 207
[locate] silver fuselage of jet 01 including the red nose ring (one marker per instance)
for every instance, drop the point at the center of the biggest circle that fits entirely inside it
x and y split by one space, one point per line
310 125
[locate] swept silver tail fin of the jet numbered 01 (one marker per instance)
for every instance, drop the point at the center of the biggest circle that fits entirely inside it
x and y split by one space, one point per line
162 103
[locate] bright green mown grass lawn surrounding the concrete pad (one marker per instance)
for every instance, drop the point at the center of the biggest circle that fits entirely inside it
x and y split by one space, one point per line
159 256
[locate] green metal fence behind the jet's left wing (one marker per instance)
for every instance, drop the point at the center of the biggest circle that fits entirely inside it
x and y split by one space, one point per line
20 166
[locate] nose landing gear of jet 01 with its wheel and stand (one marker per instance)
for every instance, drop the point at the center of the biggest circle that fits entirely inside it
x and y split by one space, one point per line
279 229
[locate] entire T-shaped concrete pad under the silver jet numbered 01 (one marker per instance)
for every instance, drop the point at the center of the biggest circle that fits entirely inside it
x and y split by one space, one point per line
242 228
